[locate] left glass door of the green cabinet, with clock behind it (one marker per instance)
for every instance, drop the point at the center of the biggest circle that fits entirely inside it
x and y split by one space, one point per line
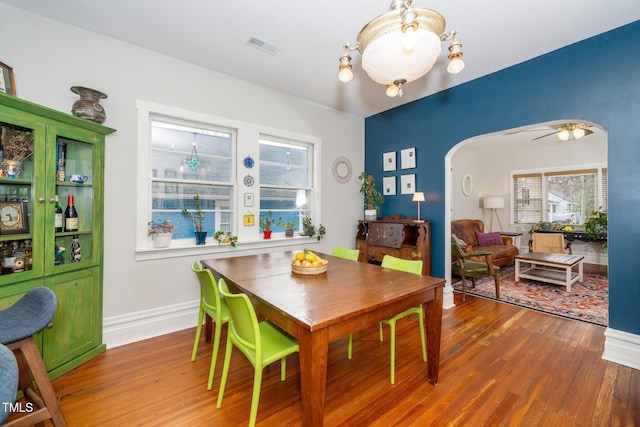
21 228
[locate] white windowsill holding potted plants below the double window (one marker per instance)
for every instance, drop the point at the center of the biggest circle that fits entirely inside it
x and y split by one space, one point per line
224 250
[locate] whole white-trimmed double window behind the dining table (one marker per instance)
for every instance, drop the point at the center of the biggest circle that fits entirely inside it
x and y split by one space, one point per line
184 153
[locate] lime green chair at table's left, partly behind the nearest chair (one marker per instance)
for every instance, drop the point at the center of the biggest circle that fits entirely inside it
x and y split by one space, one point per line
216 308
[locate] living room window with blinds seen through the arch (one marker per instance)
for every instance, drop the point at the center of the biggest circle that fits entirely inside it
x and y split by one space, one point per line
565 196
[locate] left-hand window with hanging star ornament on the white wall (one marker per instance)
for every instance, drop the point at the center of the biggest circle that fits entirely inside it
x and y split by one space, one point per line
189 159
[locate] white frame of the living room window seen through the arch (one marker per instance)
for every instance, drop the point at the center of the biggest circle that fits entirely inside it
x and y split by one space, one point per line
601 186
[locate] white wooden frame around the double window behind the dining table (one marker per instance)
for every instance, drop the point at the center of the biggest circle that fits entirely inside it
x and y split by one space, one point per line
247 143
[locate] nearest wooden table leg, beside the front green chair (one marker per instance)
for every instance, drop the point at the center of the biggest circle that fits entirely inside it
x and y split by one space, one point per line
314 349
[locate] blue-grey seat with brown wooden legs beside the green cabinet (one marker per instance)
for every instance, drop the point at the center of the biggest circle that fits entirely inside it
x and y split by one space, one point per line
18 323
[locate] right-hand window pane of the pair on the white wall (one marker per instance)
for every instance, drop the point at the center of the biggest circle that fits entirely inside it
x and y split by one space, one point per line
285 179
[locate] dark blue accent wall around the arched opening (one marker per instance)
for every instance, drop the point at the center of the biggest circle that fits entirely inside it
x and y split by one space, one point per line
597 79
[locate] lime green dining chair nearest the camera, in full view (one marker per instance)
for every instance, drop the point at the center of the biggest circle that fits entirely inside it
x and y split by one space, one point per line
262 343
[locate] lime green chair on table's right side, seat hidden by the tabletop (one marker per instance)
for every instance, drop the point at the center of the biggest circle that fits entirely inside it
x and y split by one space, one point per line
409 266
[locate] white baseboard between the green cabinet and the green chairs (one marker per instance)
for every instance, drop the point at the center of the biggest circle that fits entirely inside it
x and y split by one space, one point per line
132 327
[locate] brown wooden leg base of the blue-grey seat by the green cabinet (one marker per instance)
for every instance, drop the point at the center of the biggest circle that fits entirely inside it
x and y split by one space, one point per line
32 370
